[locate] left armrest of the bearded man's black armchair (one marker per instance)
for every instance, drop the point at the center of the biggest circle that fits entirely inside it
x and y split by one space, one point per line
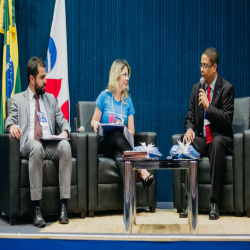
9 175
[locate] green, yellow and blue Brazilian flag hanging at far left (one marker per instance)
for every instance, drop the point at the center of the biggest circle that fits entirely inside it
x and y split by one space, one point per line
11 79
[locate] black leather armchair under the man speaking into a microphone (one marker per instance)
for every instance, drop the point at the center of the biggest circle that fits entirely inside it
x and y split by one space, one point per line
235 191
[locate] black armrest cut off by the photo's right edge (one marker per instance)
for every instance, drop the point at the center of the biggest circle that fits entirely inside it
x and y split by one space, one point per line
247 170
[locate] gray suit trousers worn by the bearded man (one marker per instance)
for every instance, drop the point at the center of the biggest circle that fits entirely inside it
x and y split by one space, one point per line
36 153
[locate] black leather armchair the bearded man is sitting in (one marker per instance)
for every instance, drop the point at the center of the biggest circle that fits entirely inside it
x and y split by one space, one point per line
14 179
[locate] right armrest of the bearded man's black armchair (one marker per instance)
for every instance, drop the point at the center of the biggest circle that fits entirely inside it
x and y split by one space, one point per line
79 151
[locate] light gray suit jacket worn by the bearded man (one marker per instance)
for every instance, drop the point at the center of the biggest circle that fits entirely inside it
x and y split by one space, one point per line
20 115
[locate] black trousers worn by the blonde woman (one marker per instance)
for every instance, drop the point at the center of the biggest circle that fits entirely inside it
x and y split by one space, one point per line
112 146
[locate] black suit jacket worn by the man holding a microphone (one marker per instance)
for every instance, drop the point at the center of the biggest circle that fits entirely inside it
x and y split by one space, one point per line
220 111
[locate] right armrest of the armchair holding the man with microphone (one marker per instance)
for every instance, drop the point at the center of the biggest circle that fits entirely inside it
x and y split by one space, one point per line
238 171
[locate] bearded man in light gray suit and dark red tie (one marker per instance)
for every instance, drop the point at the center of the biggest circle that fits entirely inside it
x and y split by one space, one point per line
35 114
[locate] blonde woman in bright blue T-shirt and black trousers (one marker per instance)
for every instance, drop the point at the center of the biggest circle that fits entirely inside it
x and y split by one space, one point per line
114 104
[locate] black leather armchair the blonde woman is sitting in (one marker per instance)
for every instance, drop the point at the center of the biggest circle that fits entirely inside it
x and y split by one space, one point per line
105 187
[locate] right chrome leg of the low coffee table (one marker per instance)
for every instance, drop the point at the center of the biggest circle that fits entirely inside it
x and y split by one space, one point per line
193 197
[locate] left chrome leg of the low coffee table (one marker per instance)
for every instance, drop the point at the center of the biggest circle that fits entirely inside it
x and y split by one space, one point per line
128 197
